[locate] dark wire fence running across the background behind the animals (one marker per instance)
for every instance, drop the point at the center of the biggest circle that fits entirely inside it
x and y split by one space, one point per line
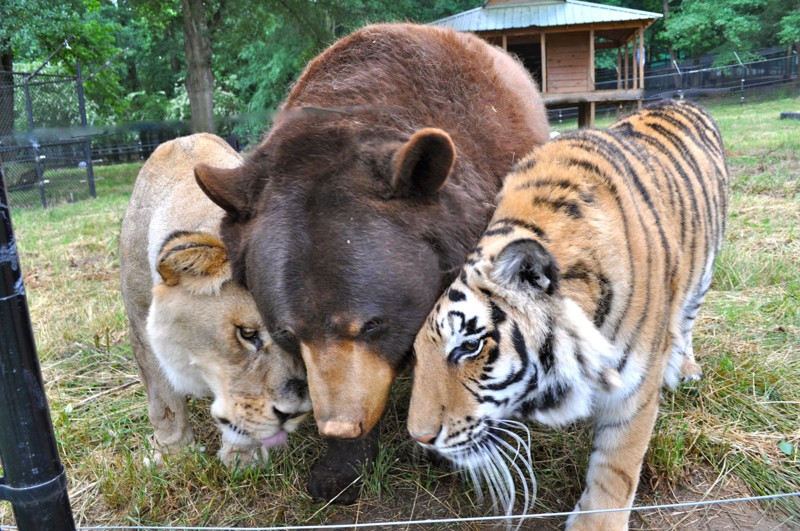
48 153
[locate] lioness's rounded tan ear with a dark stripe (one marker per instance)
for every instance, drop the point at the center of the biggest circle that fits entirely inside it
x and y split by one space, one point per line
196 260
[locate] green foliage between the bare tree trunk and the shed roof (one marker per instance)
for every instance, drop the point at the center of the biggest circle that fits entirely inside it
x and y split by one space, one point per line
263 53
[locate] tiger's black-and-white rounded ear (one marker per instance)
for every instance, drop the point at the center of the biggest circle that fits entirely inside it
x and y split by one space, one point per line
526 263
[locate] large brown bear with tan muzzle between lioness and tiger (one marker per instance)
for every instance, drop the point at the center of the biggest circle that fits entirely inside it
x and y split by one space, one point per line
356 210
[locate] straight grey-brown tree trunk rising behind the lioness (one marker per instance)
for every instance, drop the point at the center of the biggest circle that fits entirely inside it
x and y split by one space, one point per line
199 77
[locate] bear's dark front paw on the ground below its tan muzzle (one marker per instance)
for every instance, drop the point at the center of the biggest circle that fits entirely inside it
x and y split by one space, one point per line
338 476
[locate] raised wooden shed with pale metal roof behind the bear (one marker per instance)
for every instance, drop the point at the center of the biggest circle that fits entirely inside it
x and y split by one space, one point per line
557 41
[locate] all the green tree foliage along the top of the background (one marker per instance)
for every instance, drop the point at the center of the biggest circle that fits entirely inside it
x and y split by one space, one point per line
135 47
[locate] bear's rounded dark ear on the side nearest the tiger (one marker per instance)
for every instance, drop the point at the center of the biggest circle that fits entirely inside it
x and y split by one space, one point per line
421 165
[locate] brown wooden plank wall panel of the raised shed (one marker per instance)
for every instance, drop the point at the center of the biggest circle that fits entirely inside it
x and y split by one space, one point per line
568 62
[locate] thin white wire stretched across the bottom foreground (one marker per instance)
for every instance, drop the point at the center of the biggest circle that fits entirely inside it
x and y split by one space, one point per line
435 521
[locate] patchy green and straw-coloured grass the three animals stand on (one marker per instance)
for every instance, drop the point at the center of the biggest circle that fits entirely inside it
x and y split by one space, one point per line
739 427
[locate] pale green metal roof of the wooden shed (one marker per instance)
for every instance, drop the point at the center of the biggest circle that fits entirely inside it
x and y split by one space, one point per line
548 13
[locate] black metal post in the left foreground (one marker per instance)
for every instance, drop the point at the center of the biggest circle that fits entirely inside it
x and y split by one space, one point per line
35 482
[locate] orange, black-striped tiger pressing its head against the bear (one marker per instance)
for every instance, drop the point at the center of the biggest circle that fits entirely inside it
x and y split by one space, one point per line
579 301
